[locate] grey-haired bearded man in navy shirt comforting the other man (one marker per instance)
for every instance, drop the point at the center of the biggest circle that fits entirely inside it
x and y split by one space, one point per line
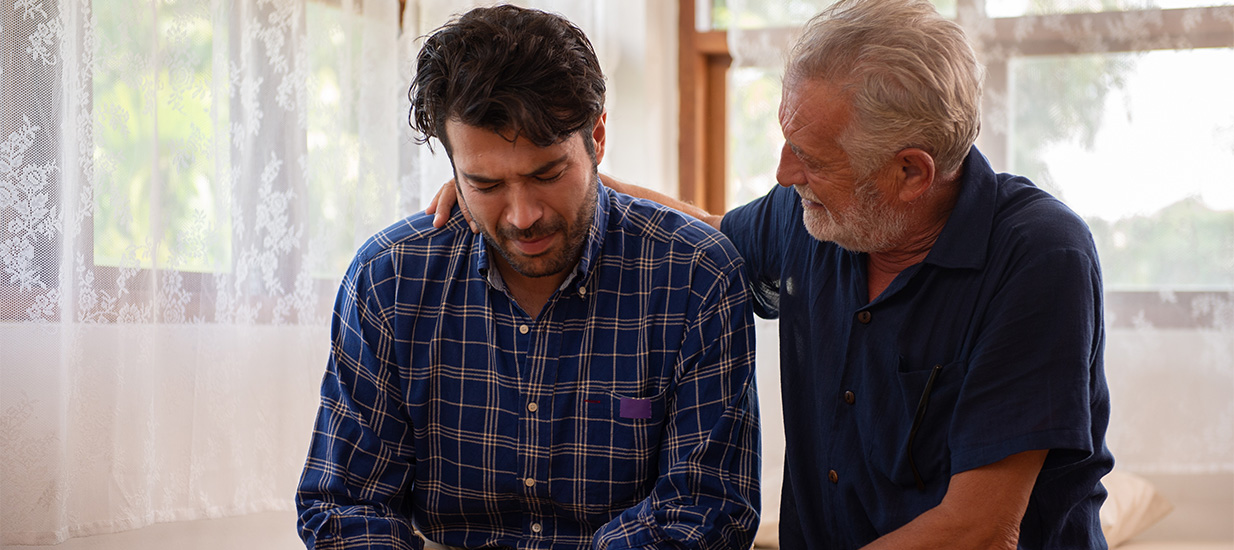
941 325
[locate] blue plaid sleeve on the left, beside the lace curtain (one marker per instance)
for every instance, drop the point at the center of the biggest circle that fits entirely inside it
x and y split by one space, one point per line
352 489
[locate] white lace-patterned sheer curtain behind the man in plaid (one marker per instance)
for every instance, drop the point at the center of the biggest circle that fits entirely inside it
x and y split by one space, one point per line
182 186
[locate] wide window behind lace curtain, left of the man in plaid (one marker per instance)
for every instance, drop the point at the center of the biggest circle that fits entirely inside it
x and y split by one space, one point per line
188 158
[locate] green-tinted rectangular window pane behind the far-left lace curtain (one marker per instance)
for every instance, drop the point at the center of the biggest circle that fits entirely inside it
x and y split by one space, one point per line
154 141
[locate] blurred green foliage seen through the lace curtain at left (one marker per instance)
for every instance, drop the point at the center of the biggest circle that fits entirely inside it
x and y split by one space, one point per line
162 140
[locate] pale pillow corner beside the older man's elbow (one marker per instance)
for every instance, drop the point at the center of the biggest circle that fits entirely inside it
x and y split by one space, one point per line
1133 505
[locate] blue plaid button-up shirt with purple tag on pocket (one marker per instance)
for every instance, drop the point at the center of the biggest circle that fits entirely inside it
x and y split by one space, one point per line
624 416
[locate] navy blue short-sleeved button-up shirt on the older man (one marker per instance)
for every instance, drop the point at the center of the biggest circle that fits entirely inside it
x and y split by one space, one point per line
1001 326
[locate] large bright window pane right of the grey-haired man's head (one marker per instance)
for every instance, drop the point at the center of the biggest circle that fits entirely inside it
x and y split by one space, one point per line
1141 147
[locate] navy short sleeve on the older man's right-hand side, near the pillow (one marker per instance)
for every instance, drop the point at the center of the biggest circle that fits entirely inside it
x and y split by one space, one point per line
1035 364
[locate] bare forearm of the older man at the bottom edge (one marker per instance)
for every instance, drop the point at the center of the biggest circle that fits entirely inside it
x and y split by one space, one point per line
983 510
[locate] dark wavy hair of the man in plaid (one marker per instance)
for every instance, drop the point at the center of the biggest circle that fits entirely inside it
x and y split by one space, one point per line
508 70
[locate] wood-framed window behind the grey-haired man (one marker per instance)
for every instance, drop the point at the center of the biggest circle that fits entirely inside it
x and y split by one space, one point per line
1119 109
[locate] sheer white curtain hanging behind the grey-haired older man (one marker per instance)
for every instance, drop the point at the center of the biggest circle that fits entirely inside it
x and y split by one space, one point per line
1121 109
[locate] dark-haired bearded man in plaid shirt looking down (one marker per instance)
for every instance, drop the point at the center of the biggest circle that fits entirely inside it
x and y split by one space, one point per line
578 376
